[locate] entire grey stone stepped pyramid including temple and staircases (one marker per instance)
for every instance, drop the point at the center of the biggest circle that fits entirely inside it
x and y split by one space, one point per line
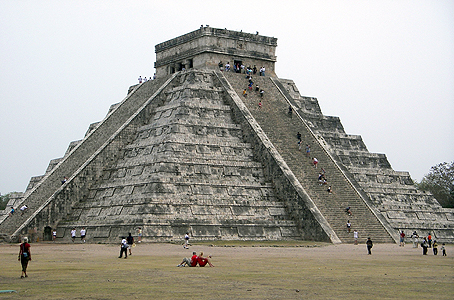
188 152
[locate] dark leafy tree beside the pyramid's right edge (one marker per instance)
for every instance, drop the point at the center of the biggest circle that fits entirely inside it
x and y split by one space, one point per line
440 182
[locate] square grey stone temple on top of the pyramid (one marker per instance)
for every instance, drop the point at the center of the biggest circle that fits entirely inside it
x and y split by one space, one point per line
205 47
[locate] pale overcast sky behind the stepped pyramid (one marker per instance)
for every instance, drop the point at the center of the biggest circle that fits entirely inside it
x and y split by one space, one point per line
386 68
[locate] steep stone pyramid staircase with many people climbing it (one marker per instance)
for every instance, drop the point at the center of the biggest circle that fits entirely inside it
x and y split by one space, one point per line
281 129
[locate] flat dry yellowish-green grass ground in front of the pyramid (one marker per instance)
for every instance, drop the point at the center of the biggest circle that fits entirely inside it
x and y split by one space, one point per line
243 270
